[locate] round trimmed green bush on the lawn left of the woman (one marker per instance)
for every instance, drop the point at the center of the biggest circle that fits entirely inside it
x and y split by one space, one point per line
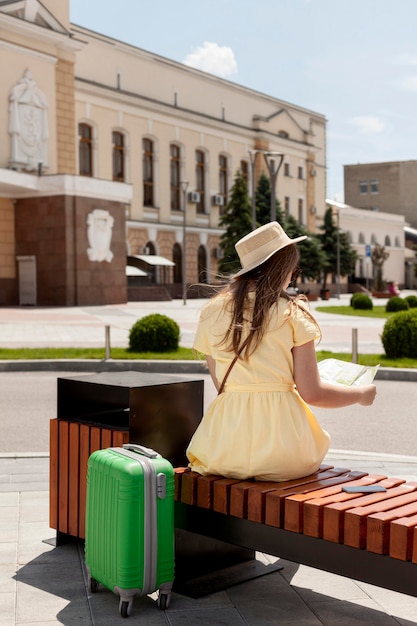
154 333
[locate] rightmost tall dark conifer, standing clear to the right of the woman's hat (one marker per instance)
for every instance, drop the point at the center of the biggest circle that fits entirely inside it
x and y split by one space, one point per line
328 239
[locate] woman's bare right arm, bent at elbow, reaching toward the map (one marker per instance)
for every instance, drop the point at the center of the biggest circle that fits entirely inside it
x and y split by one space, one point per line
315 392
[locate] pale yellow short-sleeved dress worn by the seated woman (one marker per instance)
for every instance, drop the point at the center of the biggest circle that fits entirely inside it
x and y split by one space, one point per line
259 427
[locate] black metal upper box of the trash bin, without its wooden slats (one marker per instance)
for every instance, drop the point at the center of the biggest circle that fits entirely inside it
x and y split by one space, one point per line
160 411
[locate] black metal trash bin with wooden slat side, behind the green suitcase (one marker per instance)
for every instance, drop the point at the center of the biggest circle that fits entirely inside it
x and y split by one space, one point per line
160 411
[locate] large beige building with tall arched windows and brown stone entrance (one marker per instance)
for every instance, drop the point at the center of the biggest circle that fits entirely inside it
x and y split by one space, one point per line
108 151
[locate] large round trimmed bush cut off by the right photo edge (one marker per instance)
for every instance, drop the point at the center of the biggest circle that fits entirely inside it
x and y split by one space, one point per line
399 335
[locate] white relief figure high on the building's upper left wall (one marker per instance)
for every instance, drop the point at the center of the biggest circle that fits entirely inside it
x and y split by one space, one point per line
28 125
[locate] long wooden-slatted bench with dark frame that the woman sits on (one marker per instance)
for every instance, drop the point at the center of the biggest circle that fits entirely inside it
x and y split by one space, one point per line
369 537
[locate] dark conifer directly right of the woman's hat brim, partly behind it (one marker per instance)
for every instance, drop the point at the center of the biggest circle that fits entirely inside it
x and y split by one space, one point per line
312 256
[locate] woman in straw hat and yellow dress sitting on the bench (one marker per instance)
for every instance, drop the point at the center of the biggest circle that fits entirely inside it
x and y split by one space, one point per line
263 341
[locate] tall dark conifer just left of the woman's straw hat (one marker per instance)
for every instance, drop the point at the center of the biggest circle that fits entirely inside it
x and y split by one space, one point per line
237 220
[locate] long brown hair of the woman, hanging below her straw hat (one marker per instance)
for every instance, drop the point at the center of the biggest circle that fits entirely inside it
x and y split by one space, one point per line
268 281
